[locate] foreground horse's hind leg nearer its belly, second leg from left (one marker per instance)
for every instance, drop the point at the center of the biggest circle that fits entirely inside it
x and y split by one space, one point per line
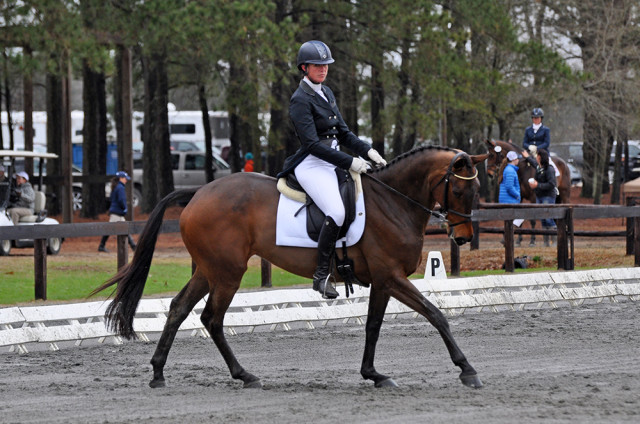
212 317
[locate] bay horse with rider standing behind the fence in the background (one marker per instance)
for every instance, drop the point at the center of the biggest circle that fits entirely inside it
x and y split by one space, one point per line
526 171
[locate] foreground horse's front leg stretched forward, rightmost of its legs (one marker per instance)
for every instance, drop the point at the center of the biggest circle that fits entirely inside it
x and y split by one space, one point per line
403 290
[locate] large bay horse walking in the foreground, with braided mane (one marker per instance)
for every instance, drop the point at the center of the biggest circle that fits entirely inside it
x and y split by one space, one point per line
233 218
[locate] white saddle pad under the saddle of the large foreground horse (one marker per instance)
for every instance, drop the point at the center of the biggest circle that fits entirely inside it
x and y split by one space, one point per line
292 230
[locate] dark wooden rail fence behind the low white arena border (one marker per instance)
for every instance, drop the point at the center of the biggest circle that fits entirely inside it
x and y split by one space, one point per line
565 215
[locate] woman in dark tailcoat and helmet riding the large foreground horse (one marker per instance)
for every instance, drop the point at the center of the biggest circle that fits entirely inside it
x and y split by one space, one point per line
321 131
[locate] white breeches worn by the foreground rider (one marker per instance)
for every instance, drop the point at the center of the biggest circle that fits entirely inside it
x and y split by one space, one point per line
319 180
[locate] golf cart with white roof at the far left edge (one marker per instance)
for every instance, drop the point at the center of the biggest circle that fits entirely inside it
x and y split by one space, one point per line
8 159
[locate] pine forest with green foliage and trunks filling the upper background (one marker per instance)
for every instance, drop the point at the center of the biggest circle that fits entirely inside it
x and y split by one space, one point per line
407 72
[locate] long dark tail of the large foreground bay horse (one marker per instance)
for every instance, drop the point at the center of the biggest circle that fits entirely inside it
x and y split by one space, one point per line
132 277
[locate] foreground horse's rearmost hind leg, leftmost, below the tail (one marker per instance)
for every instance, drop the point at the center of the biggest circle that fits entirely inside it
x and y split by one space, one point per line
181 306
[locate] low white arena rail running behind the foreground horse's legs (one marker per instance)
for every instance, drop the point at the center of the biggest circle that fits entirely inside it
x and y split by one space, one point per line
287 308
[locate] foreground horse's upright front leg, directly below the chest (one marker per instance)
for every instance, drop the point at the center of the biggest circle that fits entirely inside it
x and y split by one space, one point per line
378 301
